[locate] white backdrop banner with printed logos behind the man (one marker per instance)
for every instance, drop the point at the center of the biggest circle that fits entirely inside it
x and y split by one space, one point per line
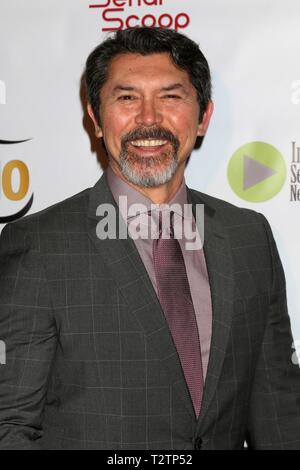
251 154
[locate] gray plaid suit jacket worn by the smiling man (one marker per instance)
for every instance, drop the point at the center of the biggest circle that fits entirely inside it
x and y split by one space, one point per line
90 362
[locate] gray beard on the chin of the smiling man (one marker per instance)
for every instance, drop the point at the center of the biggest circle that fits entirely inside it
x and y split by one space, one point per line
146 174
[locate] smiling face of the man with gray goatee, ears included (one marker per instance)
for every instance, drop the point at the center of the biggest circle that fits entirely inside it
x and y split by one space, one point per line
149 115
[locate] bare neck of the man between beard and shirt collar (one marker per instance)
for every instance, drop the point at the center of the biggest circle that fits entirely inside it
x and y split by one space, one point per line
160 194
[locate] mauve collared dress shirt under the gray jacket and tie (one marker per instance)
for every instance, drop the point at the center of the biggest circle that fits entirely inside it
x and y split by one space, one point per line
194 259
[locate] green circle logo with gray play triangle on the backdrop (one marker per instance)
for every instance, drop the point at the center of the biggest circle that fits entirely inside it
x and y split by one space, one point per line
256 172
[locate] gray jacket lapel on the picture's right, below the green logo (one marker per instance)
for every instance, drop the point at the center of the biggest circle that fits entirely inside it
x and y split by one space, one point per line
218 256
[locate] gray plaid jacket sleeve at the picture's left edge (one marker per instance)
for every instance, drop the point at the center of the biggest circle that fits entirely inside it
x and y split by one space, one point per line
28 338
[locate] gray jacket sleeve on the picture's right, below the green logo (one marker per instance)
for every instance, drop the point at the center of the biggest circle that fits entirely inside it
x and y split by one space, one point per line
274 412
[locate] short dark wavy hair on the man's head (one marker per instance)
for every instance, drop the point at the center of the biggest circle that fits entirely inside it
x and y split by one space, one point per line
184 52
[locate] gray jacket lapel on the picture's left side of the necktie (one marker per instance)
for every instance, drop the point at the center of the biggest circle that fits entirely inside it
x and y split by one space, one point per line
135 286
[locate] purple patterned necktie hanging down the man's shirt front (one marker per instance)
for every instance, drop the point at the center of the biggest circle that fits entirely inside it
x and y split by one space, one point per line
176 301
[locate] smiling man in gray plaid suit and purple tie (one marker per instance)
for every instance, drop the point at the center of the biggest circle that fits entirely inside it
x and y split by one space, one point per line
123 342
